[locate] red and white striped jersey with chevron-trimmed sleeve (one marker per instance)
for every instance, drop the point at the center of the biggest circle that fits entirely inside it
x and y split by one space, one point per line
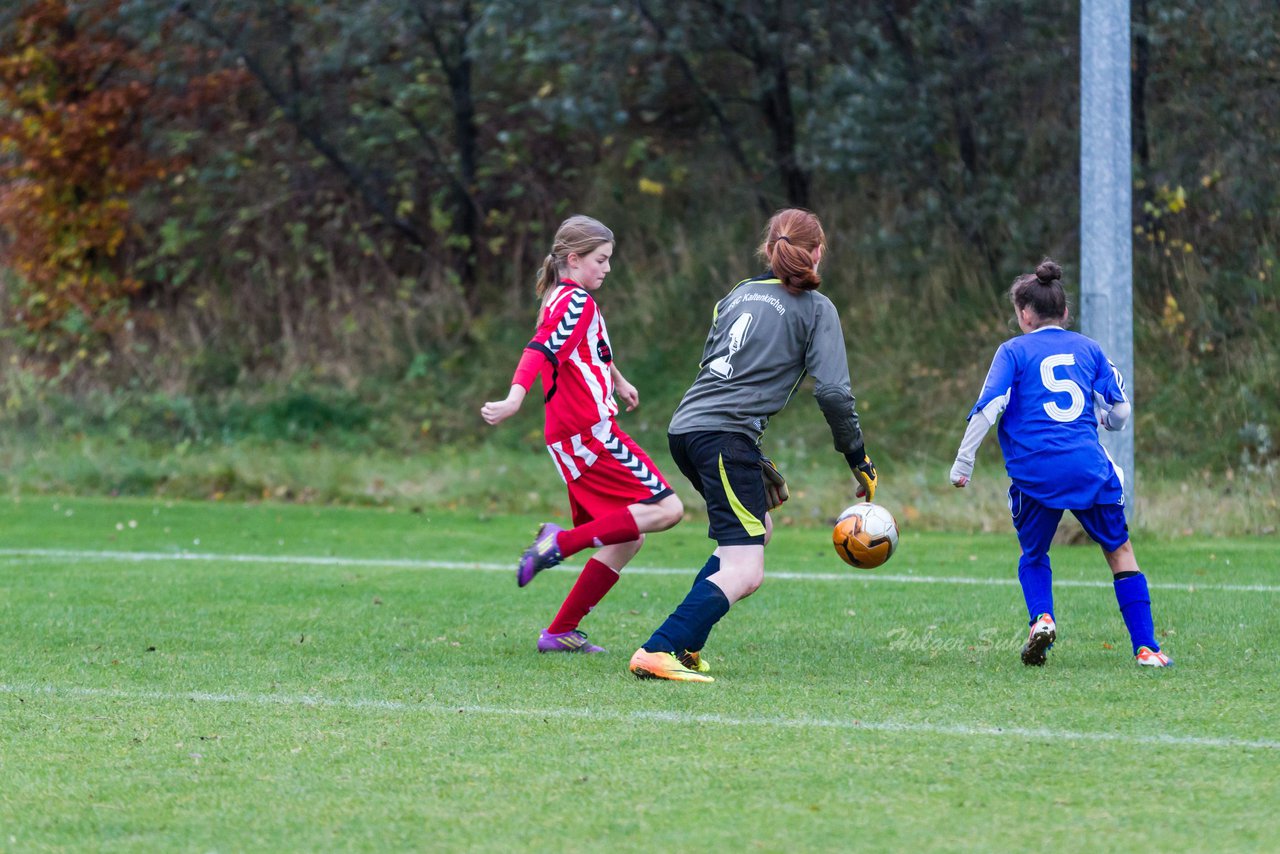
578 381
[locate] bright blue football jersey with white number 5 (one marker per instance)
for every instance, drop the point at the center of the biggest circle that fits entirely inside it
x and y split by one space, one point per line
1045 385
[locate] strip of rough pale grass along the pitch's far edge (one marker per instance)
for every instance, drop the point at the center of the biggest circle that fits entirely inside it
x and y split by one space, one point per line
514 476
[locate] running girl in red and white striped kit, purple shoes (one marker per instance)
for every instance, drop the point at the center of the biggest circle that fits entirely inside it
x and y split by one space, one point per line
616 494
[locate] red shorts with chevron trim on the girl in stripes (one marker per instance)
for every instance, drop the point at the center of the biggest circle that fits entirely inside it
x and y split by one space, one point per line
606 471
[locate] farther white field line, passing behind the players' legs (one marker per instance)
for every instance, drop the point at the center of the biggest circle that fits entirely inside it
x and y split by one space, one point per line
24 555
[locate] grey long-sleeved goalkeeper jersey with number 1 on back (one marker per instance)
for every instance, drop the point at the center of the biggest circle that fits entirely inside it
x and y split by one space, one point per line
762 344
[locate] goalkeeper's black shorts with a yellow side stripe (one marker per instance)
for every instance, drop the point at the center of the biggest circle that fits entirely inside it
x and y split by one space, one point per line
725 469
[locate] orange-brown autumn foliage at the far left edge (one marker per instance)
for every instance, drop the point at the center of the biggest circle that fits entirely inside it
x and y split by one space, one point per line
75 102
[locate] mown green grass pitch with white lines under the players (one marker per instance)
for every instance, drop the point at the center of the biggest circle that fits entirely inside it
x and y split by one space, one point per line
207 677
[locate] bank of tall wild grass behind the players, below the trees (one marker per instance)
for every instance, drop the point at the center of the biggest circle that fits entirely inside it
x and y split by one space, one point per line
371 392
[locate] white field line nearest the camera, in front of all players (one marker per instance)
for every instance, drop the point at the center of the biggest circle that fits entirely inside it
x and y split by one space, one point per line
641 716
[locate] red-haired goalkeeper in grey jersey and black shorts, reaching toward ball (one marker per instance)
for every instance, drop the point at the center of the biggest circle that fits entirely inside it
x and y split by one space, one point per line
766 337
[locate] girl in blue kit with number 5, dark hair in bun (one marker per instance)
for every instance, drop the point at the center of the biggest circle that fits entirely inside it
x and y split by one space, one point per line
1054 389
